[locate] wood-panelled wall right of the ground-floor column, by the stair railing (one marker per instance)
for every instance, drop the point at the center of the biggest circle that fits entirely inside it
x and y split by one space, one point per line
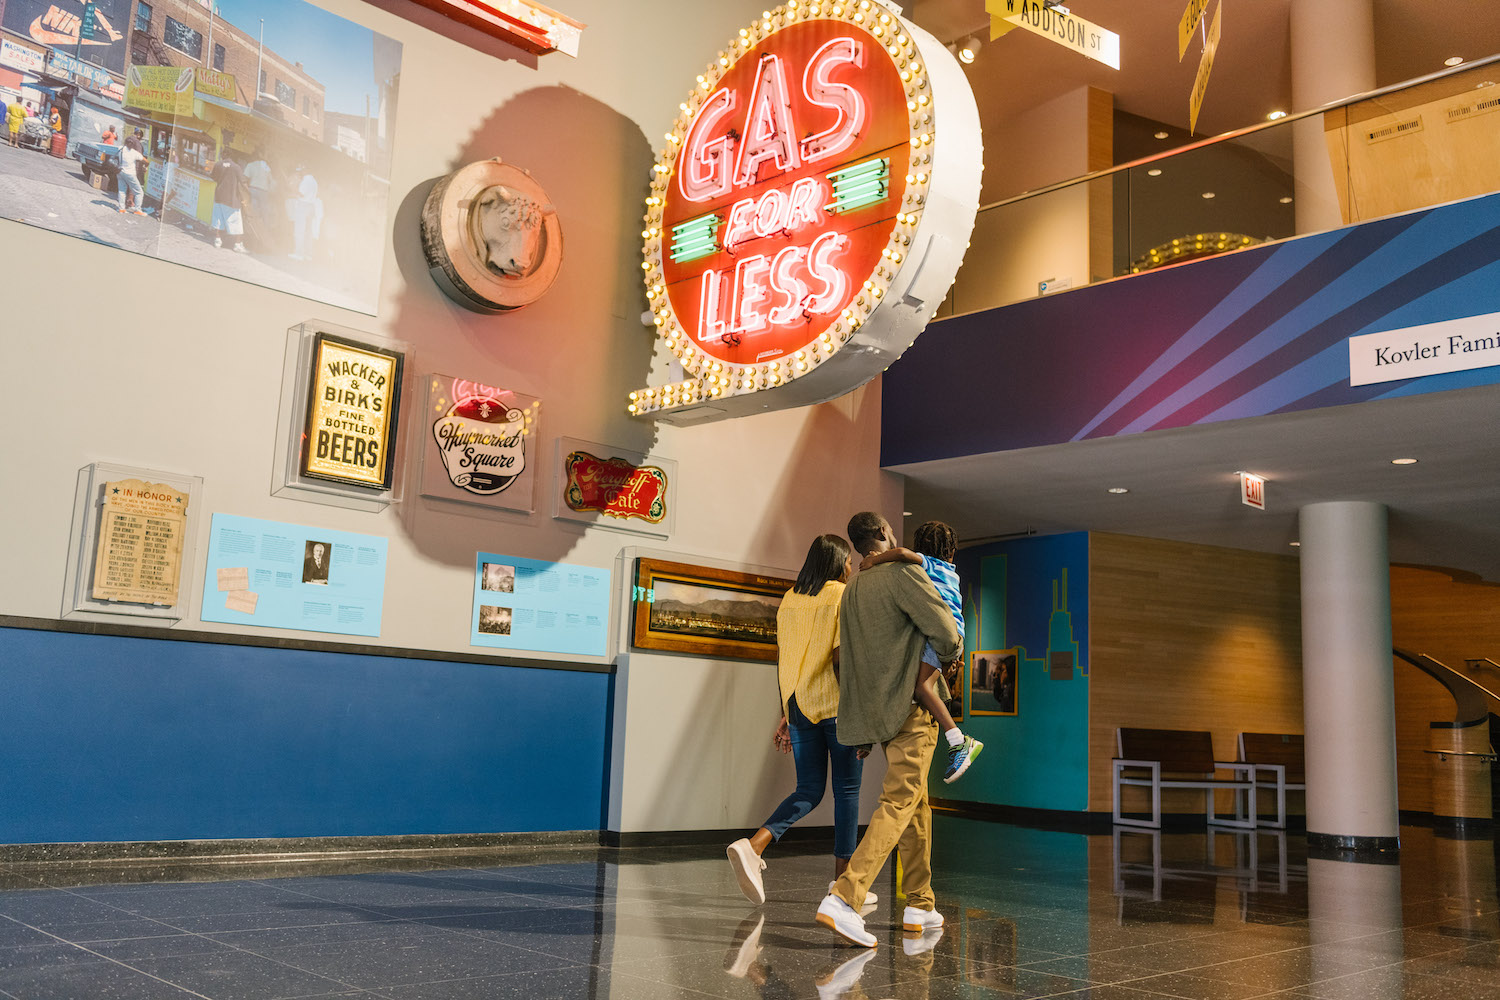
1450 620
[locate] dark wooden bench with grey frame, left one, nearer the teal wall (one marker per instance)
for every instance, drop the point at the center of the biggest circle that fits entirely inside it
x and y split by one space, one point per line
1180 759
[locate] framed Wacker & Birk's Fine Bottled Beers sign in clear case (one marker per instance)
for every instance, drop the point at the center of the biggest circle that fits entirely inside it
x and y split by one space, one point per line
341 425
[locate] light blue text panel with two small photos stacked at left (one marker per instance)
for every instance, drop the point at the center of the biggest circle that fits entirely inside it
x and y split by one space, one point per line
539 606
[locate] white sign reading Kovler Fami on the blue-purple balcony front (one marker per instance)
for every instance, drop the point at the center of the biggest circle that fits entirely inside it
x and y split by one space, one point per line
1454 346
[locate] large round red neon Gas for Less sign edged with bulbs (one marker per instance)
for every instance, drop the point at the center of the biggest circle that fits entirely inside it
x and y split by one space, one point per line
809 200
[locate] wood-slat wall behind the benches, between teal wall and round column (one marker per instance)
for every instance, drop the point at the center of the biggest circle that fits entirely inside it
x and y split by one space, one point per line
1187 636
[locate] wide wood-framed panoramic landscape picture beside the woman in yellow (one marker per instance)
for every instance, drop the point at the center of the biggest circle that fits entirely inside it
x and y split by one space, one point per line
683 608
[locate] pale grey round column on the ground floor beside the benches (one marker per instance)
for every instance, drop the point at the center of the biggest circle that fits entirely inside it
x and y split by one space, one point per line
1348 678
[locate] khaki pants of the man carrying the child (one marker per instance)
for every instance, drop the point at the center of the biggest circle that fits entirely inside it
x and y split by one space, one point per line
902 821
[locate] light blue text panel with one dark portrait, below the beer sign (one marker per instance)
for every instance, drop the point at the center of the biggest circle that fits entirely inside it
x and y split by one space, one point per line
293 576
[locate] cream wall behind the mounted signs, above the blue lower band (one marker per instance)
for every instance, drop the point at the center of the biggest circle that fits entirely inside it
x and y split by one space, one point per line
122 359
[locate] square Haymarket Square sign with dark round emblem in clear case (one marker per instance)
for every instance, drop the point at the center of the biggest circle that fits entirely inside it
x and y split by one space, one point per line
479 445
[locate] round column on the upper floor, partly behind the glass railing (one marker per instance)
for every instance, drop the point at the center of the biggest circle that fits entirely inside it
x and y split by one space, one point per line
1333 56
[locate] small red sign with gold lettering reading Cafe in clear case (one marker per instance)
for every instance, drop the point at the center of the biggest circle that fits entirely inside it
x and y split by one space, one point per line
616 488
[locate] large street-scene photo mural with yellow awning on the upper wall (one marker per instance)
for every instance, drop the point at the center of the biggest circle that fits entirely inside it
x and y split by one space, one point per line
253 139
